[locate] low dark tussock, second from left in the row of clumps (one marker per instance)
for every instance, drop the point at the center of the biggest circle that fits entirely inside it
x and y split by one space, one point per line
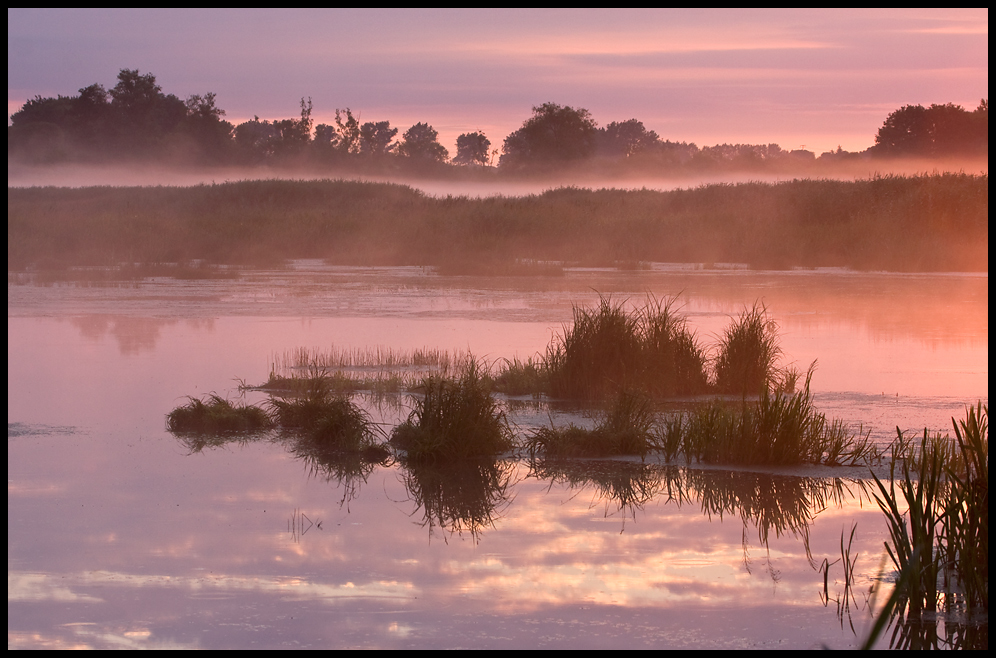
331 419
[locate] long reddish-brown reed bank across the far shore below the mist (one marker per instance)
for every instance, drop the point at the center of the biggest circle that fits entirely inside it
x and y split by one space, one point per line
922 223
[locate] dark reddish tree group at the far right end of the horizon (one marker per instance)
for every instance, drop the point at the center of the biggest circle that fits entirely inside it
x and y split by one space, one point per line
933 131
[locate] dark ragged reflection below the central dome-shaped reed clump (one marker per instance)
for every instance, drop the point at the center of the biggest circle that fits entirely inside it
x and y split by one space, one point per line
460 496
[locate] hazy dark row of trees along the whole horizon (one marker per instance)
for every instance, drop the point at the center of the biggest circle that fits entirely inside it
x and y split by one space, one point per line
135 119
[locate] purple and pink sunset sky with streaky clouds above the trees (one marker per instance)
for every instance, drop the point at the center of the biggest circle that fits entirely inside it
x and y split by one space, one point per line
804 78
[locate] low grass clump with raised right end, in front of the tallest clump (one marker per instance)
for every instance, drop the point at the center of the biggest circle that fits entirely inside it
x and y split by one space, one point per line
628 428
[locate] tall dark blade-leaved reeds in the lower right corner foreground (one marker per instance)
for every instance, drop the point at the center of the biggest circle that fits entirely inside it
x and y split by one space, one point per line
944 530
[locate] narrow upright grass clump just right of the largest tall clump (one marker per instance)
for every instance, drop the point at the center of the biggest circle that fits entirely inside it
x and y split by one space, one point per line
748 354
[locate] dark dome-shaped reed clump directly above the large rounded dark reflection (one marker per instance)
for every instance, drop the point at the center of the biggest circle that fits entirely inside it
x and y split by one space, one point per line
454 419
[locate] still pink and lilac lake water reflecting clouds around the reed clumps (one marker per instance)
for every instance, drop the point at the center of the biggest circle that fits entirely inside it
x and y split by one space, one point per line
122 535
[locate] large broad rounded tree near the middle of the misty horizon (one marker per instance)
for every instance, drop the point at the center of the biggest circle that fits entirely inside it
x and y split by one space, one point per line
555 134
